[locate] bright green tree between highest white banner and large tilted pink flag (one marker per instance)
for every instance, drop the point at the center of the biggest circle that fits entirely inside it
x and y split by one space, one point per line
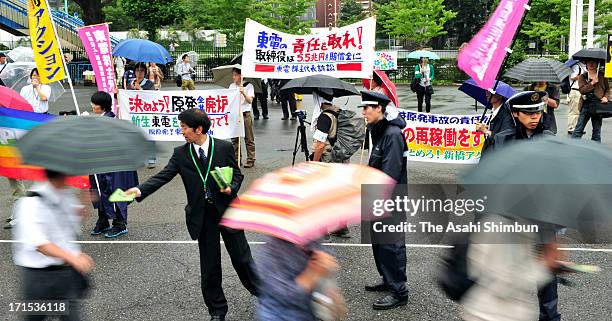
415 20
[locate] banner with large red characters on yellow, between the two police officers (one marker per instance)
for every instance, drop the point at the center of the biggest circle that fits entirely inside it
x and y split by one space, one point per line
442 138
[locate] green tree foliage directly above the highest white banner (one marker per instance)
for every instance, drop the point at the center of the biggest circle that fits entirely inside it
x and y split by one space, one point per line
284 15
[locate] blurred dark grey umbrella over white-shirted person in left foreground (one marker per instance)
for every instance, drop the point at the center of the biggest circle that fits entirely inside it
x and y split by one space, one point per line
85 145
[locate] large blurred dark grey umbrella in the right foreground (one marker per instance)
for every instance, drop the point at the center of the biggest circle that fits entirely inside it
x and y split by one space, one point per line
540 180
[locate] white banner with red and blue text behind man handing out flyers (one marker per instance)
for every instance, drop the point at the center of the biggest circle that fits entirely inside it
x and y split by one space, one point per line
156 112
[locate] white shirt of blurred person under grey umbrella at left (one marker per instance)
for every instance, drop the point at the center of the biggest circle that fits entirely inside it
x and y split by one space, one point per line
52 218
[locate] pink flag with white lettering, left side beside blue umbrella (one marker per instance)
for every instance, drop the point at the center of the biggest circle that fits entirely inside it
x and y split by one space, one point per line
96 40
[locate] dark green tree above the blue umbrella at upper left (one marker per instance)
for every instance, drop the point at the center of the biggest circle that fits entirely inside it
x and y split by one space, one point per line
153 14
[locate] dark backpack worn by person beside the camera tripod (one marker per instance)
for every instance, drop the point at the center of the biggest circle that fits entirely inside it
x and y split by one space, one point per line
349 131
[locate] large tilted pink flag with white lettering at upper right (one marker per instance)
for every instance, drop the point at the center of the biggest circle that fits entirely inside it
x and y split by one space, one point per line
484 55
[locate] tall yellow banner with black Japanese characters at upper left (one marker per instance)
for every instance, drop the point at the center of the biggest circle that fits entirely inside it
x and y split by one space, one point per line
47 53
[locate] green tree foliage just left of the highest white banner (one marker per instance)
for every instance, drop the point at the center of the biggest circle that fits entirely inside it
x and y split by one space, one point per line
224 16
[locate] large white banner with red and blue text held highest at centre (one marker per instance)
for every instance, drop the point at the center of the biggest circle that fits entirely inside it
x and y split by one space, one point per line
346 52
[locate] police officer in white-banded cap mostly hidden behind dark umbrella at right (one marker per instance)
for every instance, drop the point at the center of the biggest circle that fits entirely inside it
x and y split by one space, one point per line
527 109
